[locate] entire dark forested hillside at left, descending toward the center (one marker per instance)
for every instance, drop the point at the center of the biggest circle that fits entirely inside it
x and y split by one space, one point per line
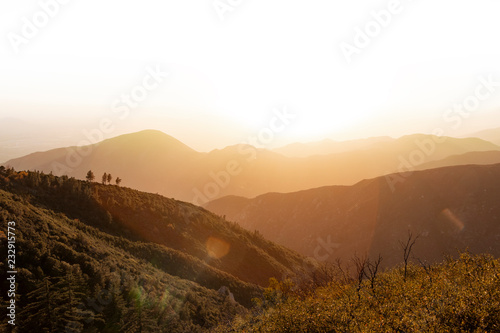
160 263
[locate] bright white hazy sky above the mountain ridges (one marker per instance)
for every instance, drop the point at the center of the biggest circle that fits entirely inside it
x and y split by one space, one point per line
346 69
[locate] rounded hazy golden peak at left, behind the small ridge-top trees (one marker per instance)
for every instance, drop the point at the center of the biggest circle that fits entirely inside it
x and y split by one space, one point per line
148 160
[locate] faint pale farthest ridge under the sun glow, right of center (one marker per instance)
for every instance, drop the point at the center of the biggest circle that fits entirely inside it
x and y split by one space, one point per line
327 146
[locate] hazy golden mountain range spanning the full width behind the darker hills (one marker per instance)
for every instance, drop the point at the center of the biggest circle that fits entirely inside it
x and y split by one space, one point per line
155 162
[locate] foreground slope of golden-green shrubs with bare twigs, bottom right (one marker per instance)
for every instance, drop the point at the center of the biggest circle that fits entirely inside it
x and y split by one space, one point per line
453 296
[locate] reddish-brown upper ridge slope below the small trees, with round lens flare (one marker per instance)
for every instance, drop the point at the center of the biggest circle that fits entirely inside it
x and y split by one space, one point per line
188 231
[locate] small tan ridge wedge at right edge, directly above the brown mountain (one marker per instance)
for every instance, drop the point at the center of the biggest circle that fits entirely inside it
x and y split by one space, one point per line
477 157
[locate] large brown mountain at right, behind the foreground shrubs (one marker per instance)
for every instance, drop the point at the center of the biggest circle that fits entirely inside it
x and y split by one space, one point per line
453 208
